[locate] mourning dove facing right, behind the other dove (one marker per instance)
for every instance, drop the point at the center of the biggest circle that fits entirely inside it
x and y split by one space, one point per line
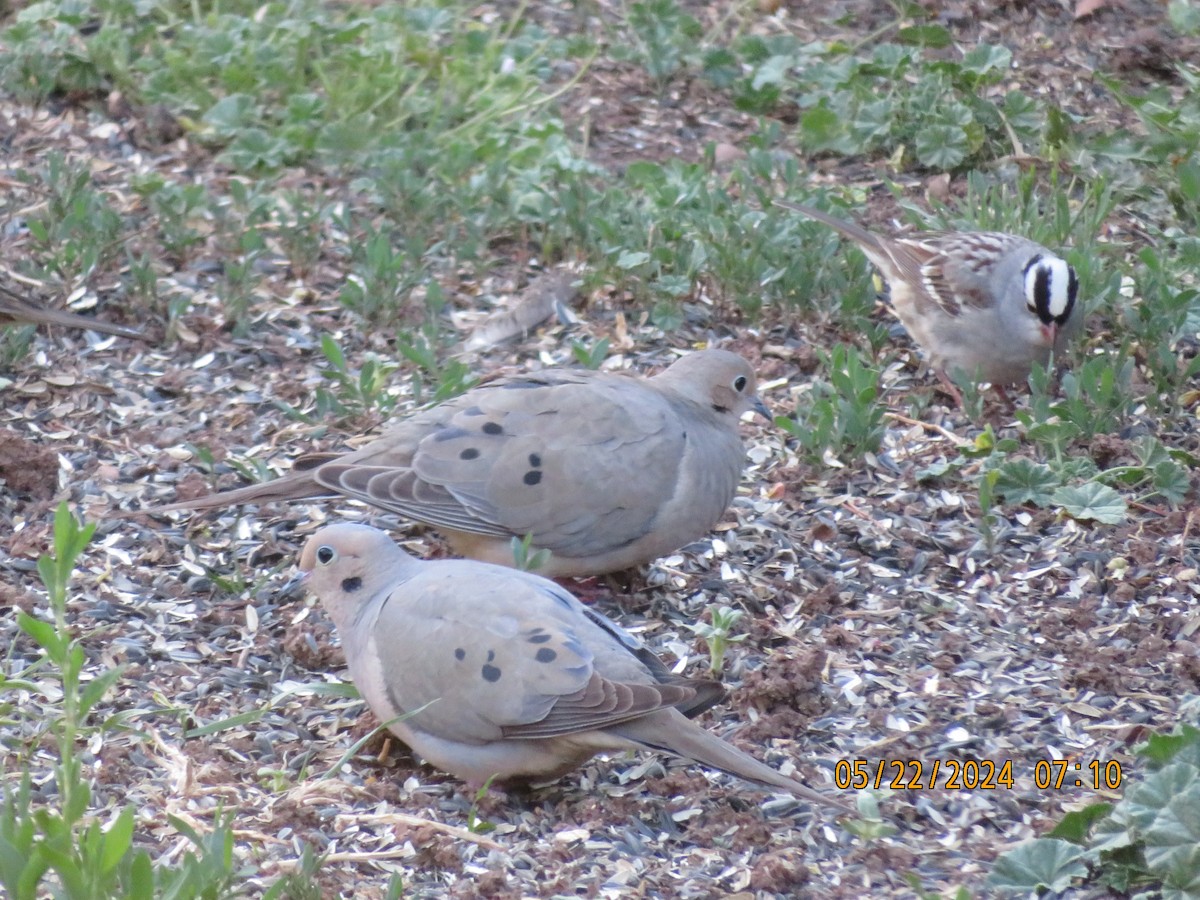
604 471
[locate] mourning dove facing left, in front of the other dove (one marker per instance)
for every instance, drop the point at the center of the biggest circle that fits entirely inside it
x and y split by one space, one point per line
503 674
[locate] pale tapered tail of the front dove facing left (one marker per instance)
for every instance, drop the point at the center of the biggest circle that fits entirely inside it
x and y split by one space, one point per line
675 735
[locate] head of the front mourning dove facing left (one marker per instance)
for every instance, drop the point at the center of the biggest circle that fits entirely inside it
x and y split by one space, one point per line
349 565
